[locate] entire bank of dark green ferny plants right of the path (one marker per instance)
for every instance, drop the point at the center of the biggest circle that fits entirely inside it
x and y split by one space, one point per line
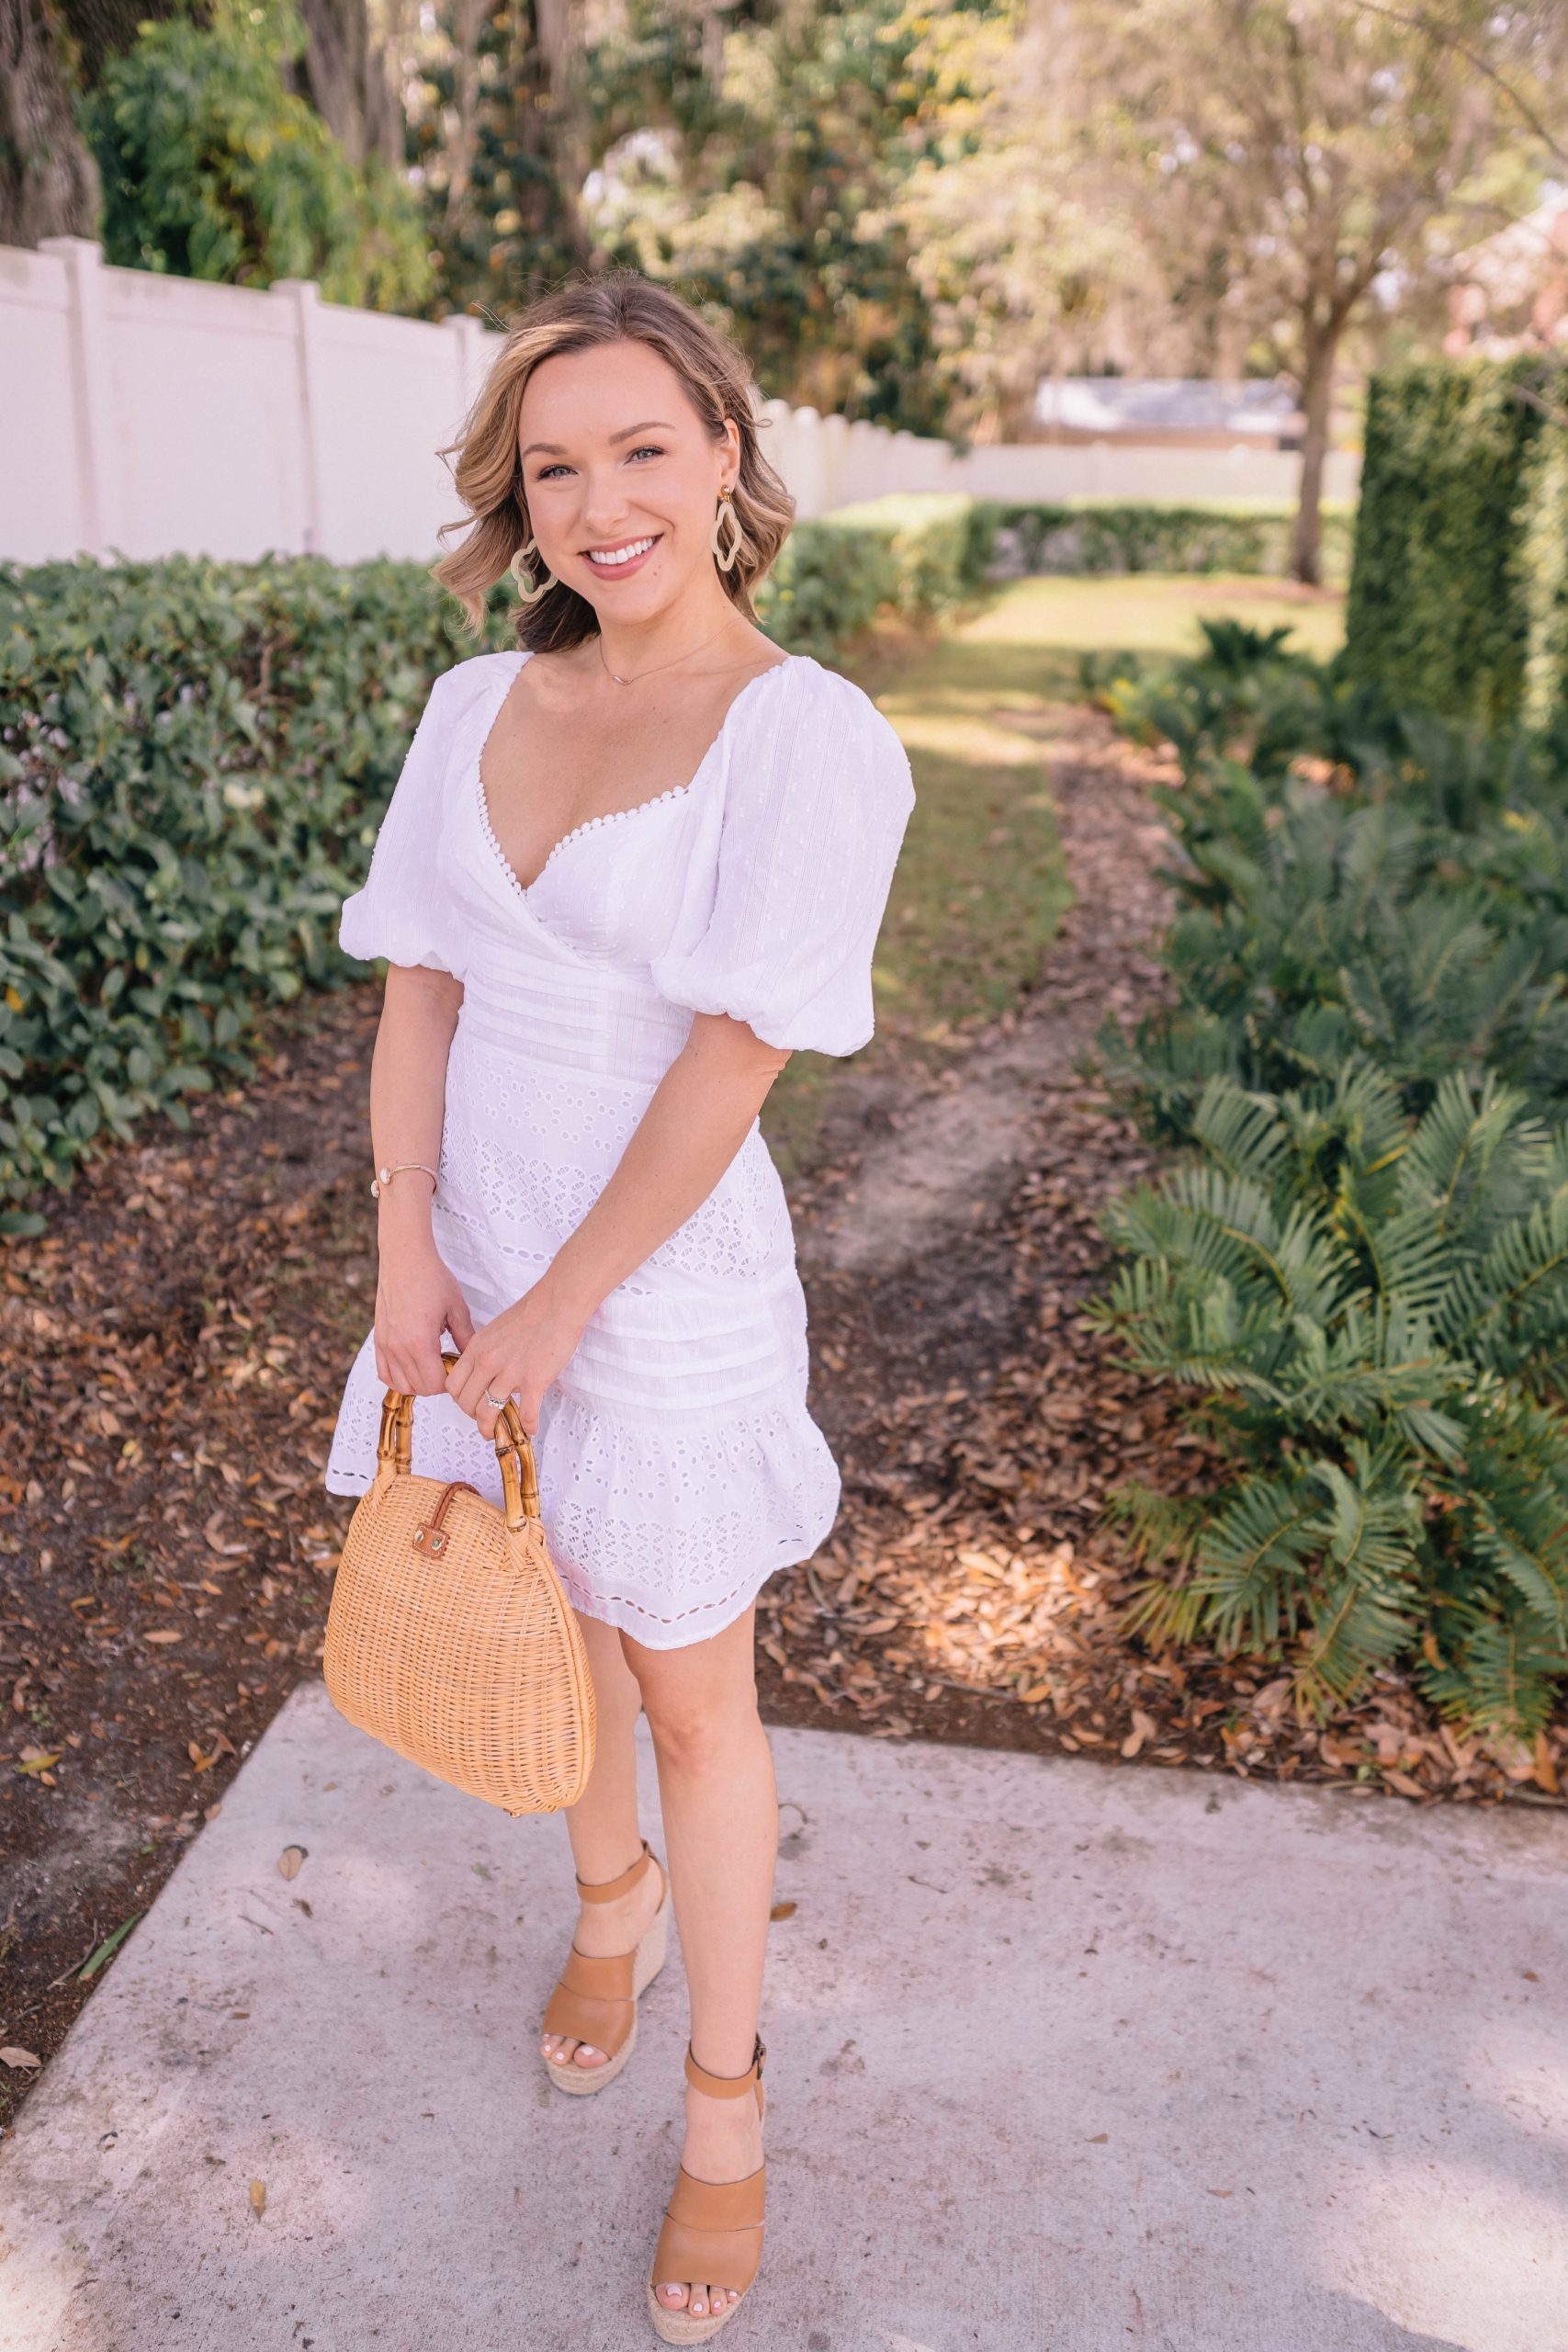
1360 1257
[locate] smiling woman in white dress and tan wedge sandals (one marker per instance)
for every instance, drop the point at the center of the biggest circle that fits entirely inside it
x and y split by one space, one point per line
629 869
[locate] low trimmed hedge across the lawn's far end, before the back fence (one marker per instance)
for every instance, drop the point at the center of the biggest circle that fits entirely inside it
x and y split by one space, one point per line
1118 535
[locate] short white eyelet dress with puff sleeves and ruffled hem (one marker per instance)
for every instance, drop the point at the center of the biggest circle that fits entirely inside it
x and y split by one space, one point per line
678 1464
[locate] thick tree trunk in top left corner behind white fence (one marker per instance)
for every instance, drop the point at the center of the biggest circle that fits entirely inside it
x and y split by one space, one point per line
48 178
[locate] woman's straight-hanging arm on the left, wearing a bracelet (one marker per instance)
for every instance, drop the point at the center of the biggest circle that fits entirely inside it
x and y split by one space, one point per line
417 1295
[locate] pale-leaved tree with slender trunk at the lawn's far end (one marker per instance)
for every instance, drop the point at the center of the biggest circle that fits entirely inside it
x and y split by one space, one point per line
1320 152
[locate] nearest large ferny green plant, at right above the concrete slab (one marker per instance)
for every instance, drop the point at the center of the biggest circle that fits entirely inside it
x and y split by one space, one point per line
1372 1314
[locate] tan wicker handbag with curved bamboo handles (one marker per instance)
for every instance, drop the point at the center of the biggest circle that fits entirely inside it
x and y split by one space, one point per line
450 1636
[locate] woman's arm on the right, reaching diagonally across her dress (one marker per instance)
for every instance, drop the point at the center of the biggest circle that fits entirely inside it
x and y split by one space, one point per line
695 1125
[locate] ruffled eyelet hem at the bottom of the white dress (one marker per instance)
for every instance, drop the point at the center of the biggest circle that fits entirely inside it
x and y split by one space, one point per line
631 1509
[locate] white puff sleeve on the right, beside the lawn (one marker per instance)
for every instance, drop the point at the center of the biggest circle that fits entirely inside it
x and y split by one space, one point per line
817 803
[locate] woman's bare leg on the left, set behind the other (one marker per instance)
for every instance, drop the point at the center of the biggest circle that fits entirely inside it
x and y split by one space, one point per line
603 1826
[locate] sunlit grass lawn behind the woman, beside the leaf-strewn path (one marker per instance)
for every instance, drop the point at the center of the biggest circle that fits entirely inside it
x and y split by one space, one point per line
981 883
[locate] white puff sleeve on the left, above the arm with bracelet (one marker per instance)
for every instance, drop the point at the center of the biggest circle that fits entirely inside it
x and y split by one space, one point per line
406 909
